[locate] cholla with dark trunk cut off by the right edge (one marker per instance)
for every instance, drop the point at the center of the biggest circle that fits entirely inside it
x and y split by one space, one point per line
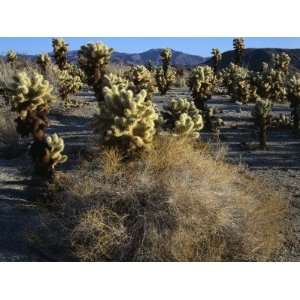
294 98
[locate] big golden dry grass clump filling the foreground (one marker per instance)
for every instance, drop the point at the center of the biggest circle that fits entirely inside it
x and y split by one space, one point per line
176 203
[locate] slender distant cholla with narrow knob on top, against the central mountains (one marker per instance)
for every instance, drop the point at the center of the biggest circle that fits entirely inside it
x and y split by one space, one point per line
165 75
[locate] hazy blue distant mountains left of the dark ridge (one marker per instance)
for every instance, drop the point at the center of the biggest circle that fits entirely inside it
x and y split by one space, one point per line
178 58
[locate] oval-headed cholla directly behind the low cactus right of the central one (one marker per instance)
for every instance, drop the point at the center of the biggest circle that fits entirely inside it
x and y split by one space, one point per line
201 84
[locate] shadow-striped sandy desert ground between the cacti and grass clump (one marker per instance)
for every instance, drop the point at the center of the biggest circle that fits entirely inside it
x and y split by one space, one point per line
279 166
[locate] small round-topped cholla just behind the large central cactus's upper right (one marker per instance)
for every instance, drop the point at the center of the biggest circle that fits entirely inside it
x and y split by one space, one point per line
141 79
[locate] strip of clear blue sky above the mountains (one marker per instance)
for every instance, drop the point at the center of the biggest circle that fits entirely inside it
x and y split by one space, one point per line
199 46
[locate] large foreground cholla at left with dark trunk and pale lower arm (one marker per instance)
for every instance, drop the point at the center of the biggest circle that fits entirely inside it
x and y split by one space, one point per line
31 96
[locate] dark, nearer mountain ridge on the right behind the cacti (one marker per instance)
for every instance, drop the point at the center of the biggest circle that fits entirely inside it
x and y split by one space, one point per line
253 57
